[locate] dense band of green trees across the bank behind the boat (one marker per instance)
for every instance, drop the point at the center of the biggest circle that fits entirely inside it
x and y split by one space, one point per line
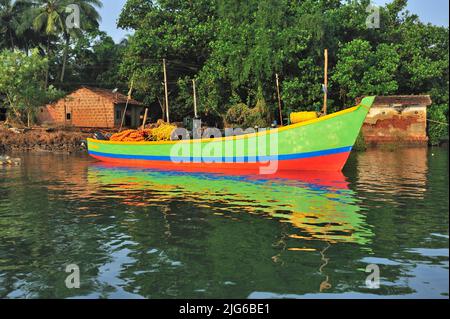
234 49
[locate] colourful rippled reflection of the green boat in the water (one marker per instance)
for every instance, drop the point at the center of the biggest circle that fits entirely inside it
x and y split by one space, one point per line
319 206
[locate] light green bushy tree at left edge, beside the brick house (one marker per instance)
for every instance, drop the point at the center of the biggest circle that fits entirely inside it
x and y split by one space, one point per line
22 83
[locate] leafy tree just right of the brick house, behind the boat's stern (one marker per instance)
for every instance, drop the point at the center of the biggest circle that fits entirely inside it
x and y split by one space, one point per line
178 31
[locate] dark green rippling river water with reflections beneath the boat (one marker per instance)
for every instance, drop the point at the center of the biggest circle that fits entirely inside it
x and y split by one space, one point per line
146 234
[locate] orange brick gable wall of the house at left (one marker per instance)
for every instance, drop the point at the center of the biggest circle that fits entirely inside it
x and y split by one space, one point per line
86 109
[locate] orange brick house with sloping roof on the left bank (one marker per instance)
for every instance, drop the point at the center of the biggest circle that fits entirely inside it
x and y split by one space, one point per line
92 107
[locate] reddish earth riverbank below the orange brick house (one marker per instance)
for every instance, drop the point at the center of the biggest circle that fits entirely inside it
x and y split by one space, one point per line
62 140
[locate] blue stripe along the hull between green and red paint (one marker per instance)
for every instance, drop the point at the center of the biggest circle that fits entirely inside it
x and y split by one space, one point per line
227 159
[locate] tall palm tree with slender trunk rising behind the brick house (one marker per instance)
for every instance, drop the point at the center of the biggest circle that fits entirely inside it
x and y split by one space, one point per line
50 17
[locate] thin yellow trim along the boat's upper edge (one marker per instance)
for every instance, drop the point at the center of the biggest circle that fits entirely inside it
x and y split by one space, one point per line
269 131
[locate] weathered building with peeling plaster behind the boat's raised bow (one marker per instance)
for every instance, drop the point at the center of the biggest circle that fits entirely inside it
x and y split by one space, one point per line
400 119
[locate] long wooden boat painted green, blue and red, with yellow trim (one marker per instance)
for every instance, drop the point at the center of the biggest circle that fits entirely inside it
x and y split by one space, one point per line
322 144
